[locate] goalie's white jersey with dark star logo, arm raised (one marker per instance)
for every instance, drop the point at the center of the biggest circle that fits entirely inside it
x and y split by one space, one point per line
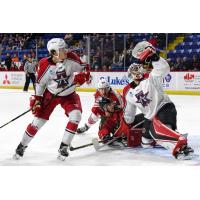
148 96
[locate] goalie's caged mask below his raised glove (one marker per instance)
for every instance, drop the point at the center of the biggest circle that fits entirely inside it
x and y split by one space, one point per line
136 72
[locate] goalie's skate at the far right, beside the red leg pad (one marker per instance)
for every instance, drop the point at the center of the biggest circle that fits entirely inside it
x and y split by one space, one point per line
185 153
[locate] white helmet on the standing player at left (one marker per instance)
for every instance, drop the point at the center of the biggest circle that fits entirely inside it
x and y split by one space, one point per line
56 44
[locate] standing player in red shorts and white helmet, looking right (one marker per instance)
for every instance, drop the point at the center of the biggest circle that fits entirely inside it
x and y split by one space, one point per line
54 74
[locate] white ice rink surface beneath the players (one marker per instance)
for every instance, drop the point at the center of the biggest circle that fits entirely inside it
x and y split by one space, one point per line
43 149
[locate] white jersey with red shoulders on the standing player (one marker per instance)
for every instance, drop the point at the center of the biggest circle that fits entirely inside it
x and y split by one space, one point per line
55 77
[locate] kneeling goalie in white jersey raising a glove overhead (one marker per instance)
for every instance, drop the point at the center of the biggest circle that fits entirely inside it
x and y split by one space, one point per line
159 111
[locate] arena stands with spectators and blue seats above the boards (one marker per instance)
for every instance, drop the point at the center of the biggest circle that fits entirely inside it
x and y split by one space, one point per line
104 51
